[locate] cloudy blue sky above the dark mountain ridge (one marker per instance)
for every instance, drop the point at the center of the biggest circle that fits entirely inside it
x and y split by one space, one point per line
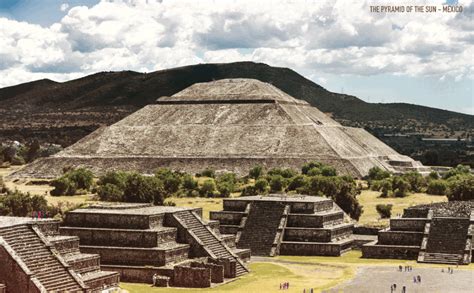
419 59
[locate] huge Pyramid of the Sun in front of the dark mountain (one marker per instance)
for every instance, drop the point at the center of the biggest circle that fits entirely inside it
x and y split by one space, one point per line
230 124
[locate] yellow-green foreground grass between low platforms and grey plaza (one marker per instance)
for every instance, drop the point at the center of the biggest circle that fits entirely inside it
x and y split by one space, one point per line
302 272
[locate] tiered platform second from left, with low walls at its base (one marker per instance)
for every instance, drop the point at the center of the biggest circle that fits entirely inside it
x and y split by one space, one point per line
140 241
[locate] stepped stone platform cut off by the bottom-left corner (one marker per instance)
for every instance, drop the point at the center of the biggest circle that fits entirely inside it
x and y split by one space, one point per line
35 258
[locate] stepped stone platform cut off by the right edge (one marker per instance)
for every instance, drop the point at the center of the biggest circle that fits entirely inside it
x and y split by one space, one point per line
435 233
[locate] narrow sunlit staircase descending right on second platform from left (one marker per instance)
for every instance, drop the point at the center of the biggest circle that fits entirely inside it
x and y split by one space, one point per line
208 239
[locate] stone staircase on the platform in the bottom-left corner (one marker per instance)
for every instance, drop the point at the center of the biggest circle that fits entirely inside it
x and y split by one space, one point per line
39 259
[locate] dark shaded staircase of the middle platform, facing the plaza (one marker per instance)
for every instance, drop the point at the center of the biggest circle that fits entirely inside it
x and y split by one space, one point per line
261 230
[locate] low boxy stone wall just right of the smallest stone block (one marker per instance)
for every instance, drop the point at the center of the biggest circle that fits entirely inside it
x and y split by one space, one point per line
192 277
